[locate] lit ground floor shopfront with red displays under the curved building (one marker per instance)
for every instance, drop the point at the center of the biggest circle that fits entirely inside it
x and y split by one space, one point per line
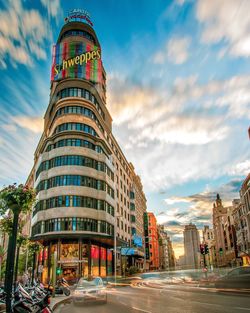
74 259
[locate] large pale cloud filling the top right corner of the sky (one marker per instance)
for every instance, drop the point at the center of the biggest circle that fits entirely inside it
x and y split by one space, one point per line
227 21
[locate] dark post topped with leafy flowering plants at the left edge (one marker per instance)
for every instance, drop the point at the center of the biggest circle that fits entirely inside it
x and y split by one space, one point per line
13 201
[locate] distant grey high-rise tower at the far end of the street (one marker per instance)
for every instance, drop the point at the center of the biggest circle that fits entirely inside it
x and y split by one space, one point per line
191 246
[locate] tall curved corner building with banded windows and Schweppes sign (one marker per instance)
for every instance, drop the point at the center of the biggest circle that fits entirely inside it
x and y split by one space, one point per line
80 173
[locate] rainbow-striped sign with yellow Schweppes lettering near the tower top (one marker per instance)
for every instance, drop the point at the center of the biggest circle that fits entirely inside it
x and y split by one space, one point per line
76 60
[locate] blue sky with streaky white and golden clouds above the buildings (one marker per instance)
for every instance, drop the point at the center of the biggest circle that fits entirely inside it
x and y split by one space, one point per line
178 91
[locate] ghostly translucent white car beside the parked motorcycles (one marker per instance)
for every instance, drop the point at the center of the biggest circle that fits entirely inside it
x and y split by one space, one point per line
90 290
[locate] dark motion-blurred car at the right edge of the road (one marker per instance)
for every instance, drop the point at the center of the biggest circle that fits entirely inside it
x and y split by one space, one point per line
238 278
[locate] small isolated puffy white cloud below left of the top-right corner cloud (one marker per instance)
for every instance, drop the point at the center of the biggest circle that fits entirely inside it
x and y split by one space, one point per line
176 51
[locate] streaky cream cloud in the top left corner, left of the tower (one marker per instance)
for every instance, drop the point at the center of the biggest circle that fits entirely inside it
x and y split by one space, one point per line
23 34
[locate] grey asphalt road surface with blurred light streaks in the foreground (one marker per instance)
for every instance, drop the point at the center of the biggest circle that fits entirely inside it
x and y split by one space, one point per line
172 299
